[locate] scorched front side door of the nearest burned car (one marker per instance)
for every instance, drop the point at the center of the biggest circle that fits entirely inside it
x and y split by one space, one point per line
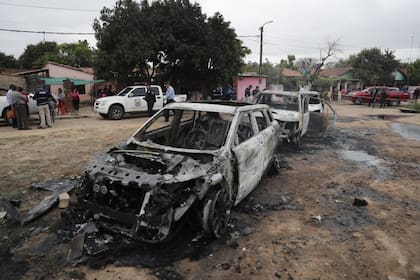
249 159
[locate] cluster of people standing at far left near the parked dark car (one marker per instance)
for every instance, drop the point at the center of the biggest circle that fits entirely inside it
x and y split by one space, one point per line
46 102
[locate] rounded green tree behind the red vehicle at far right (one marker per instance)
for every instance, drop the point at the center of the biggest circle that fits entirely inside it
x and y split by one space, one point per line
374 67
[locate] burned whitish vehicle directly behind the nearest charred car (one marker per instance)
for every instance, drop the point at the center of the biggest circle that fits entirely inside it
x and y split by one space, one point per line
291 110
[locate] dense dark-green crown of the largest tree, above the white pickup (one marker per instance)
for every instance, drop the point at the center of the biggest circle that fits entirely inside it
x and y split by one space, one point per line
168 39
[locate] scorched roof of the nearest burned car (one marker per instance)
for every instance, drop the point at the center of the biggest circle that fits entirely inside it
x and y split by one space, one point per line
230 107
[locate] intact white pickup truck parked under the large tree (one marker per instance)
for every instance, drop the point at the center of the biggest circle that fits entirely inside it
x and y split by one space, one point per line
131 100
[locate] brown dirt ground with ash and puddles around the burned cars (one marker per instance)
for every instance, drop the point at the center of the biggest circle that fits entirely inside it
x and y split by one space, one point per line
298 224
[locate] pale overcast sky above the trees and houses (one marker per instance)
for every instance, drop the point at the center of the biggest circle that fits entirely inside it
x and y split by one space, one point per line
299 27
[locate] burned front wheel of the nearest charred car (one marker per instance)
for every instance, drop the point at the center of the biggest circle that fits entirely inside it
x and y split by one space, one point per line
216 213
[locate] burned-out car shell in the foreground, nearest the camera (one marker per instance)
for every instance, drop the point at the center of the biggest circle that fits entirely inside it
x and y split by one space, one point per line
197 166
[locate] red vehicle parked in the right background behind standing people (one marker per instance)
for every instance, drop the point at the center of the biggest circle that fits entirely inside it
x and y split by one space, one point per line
393 95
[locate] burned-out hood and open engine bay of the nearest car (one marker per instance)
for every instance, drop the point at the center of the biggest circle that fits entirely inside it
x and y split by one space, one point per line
147 167
